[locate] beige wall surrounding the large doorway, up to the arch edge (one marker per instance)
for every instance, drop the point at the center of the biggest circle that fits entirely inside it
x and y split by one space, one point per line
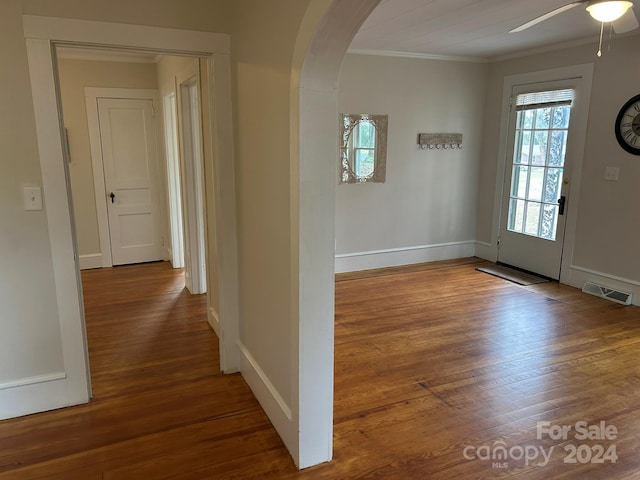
263 36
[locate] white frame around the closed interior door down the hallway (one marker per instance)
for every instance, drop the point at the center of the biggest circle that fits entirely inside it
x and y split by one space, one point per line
91 95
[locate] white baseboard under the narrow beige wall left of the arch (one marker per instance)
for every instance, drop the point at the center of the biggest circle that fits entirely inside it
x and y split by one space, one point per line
270 399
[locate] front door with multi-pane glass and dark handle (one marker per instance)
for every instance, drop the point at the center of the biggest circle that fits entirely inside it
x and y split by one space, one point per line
536 189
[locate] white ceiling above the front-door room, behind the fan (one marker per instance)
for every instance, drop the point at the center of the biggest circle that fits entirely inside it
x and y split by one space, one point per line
476 29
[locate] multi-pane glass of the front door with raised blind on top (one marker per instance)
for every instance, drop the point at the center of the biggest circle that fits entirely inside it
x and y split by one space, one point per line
542 126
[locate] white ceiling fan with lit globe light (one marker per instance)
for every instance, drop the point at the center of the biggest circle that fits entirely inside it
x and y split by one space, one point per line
619 13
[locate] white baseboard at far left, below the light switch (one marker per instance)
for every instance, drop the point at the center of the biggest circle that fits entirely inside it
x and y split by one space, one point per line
25 396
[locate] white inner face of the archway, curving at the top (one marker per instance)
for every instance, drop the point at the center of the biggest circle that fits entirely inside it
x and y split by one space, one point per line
325 34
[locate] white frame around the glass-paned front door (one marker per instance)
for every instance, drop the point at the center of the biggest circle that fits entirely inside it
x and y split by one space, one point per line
582 75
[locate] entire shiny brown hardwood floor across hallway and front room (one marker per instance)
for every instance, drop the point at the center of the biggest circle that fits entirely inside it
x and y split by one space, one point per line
432 362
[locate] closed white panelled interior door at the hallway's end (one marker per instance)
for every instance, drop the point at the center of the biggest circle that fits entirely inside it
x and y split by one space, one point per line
129 154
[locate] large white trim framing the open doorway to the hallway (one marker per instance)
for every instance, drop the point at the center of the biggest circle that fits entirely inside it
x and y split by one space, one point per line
42 34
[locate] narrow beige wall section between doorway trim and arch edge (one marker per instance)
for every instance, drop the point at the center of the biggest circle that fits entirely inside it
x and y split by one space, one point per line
263 41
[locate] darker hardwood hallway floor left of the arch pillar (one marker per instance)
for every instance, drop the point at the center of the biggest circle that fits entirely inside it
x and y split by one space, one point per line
161 407
